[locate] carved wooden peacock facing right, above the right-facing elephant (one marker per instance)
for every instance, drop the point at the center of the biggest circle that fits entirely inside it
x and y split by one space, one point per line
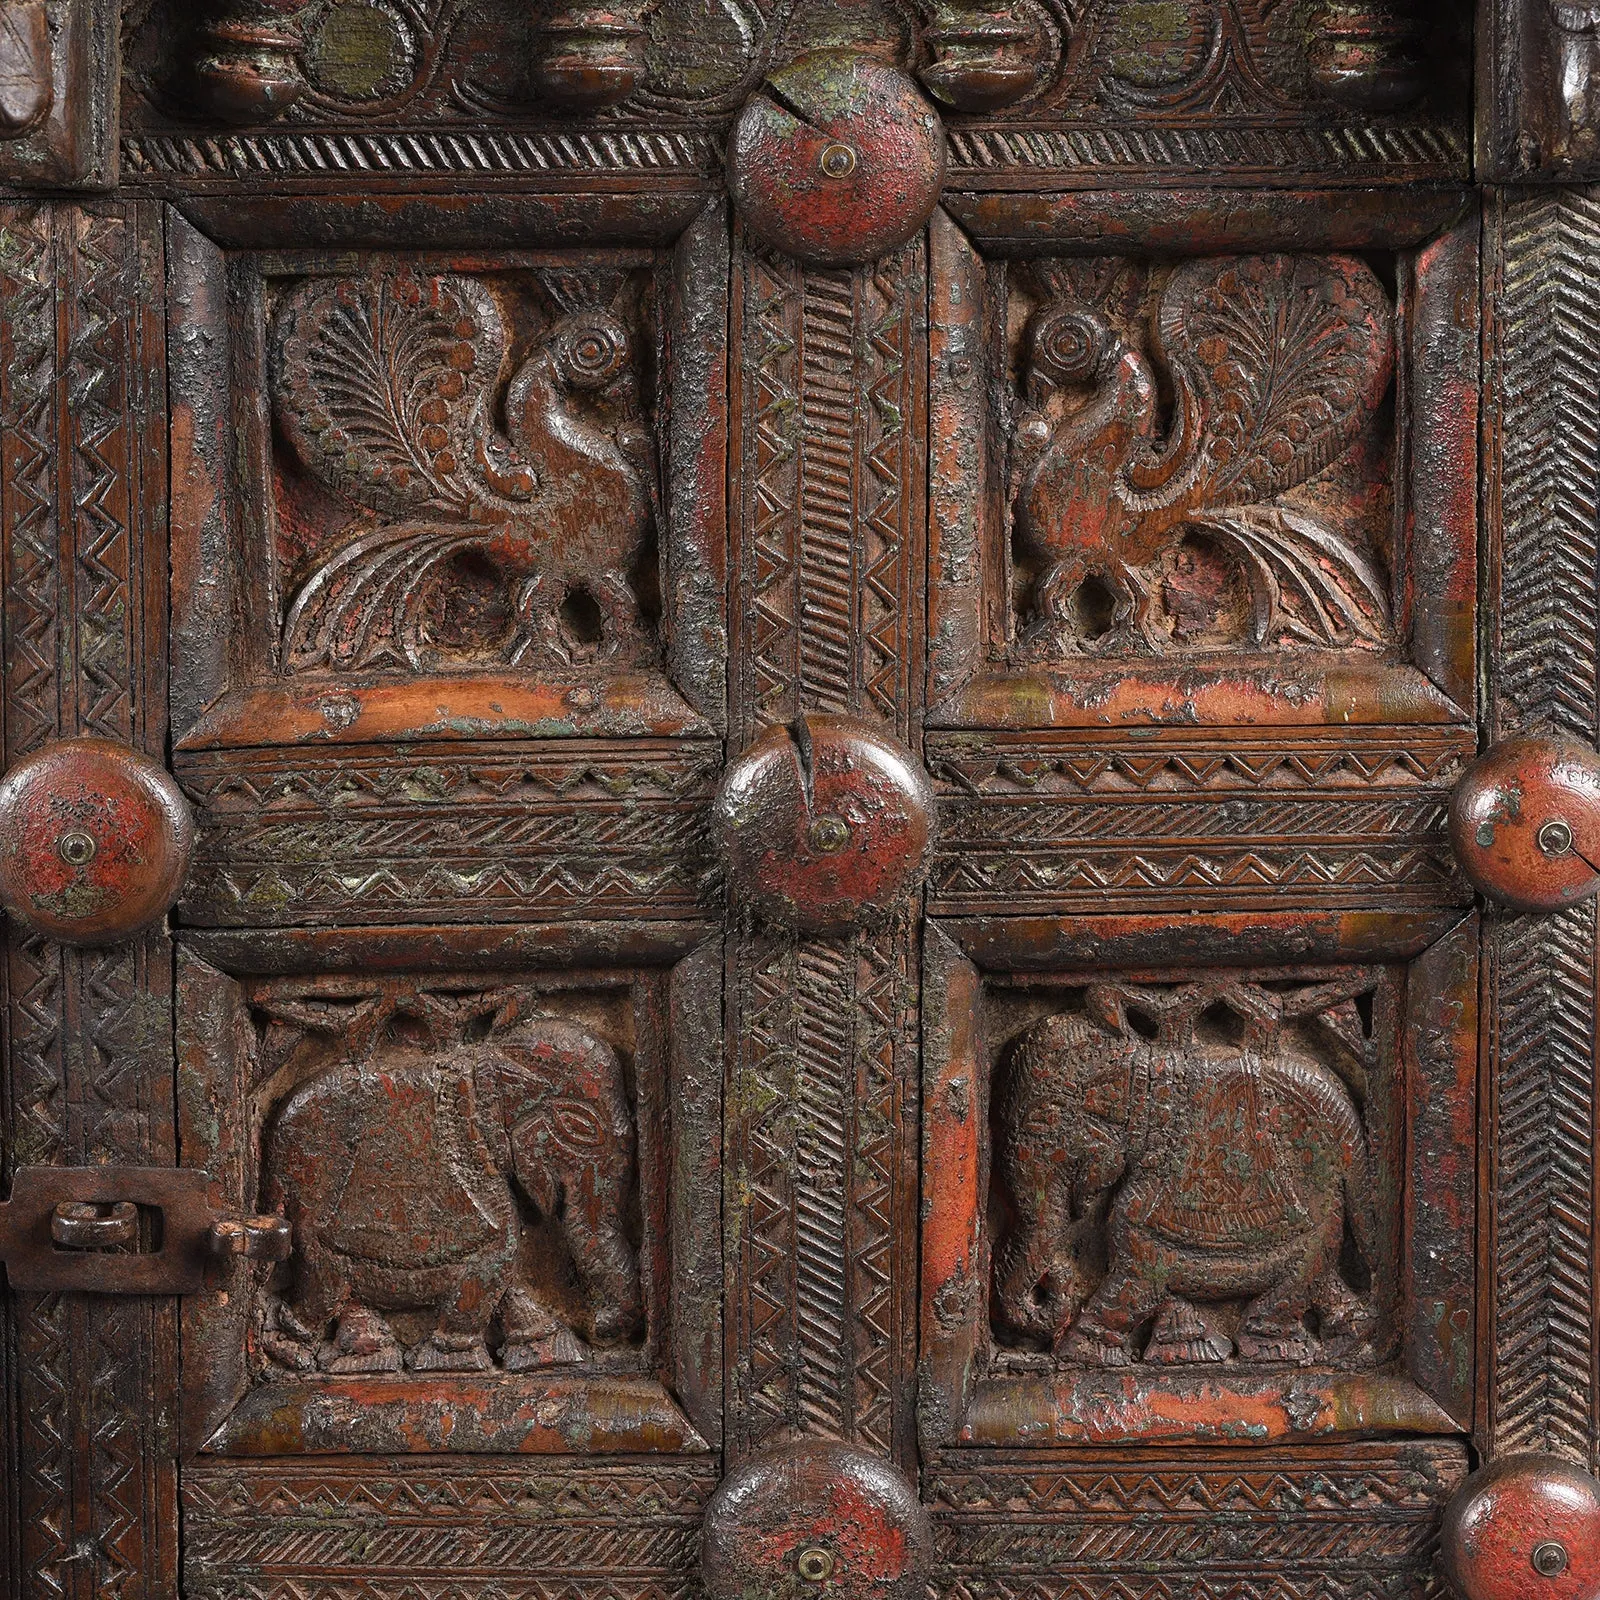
518 502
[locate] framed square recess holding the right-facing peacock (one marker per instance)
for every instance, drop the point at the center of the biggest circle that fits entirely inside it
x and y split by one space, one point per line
428 497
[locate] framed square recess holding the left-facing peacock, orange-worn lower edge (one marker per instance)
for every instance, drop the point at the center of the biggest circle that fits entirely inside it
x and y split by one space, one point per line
1214 490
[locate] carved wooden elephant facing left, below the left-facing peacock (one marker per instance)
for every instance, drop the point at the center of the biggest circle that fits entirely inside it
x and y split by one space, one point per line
1212 1183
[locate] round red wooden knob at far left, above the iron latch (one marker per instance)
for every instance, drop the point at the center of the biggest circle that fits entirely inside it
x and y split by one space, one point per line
95 842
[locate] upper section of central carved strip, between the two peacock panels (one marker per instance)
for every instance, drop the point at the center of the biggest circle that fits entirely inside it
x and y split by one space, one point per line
831 412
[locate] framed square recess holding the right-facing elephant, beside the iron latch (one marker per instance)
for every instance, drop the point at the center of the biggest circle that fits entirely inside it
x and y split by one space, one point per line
479 1170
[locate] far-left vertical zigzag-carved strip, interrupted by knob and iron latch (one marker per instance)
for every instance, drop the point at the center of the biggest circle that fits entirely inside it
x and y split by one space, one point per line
90 1071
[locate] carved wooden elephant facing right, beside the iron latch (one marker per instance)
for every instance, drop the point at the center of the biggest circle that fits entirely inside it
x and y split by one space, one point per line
412 1170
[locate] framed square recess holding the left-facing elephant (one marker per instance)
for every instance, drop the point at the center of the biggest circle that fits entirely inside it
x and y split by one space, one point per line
1191 1202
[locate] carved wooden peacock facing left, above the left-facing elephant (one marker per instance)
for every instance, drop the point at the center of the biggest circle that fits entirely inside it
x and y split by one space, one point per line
1148 482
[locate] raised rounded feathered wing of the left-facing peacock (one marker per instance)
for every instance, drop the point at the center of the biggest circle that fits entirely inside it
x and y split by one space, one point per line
1282 358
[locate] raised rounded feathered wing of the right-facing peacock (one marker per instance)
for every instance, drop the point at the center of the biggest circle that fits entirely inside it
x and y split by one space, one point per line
383 388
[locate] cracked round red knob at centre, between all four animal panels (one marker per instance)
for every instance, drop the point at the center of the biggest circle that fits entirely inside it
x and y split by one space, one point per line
823 826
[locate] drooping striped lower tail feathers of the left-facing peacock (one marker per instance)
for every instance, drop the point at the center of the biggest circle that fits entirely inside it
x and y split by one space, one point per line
1310 586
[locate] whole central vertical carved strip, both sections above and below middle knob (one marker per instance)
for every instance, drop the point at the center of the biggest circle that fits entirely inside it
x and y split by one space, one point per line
831 415
